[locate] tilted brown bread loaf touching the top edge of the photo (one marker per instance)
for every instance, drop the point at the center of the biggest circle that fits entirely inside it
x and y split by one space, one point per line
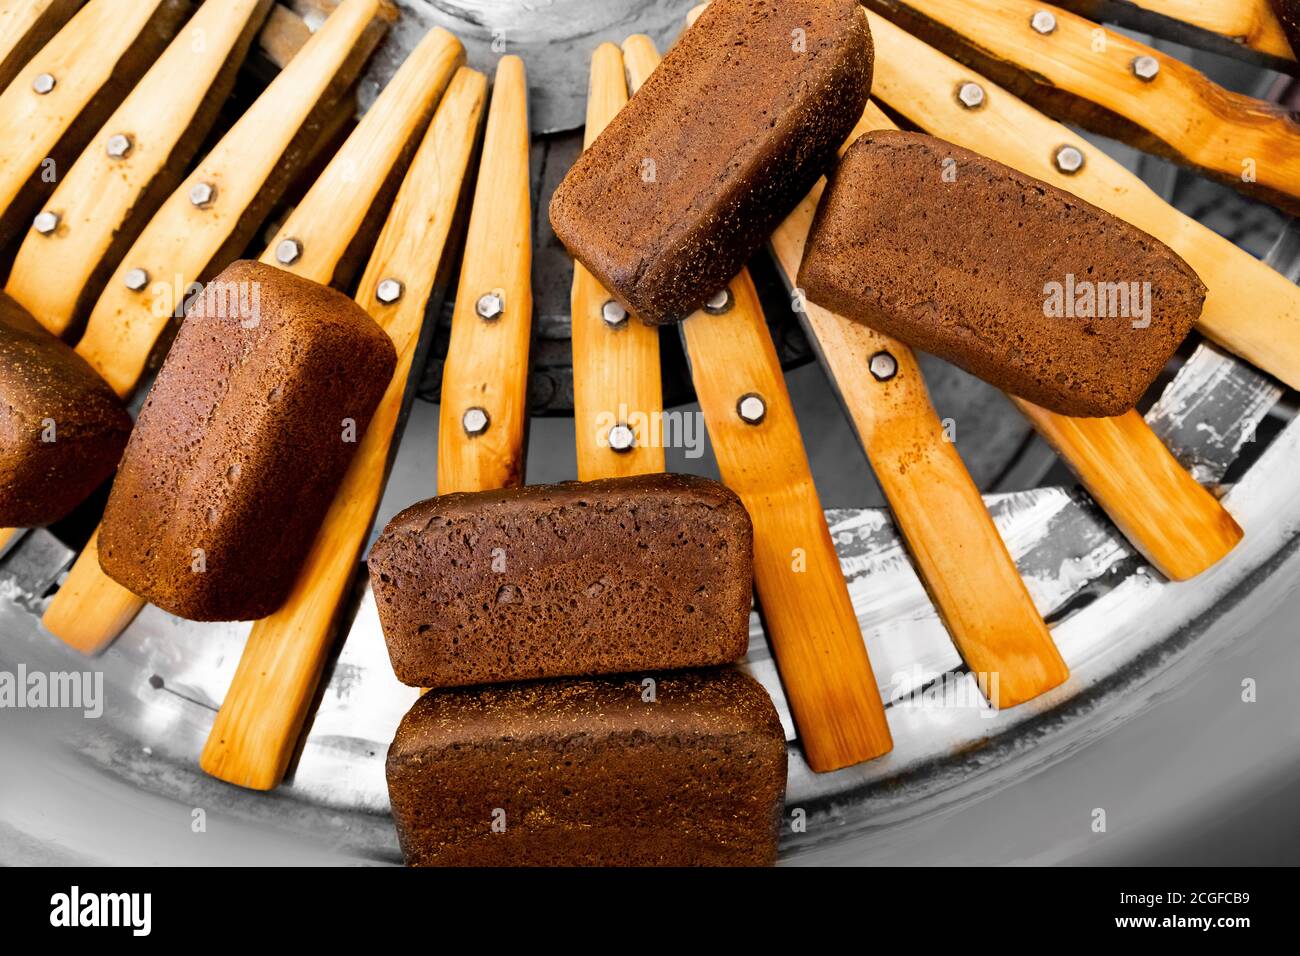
723 140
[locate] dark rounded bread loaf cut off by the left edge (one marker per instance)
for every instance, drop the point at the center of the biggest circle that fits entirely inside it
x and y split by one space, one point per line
62 427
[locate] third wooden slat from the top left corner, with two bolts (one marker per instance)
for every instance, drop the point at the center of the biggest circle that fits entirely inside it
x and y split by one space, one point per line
131 167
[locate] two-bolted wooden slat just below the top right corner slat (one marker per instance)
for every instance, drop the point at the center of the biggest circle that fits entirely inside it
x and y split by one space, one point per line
1119 88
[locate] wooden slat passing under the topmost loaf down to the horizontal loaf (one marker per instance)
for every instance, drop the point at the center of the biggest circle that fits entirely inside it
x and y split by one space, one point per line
617 382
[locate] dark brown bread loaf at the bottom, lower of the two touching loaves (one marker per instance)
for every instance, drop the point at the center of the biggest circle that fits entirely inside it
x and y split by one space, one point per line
592 773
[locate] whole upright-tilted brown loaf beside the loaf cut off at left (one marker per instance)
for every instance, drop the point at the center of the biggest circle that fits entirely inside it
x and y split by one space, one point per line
242 444
